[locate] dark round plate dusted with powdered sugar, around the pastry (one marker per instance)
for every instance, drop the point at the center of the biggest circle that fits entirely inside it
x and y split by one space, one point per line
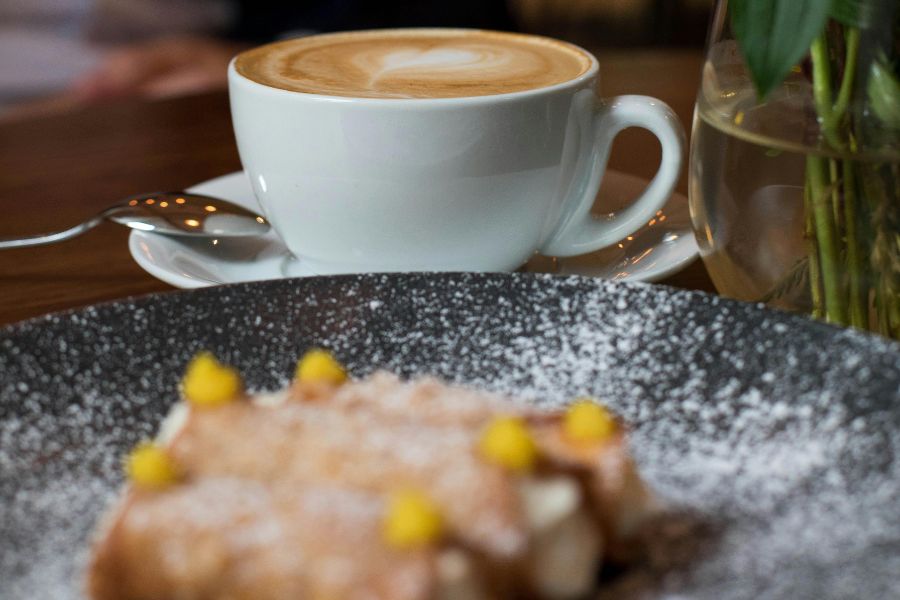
773 441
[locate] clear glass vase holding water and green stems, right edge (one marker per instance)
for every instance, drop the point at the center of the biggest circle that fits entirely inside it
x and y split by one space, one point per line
795 198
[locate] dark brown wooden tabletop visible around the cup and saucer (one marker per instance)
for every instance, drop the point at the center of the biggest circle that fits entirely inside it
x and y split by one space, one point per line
56 171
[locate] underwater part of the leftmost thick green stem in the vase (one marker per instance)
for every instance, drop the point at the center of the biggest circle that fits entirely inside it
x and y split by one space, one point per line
829 256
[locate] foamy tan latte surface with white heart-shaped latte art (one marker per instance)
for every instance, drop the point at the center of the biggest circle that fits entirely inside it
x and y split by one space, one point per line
413 63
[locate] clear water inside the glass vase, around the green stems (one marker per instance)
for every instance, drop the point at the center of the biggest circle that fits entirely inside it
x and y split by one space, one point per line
750 199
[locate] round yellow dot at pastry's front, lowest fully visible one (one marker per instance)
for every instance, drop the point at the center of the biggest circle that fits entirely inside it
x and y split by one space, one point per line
412 520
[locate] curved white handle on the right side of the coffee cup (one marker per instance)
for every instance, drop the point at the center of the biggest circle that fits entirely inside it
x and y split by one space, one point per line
578 232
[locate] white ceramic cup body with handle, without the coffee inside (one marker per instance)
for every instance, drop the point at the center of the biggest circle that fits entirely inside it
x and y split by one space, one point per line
448 184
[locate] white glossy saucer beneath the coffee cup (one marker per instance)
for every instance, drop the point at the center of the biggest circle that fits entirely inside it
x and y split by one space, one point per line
664 246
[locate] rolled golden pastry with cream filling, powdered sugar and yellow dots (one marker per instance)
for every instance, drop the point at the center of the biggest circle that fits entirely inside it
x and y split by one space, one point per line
371 489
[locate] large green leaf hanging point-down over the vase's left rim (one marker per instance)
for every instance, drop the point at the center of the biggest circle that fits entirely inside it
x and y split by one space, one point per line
775 34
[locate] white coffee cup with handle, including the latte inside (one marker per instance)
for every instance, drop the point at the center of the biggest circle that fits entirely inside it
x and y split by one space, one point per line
436 149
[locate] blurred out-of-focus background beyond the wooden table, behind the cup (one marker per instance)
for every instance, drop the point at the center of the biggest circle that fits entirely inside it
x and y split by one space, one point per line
62 55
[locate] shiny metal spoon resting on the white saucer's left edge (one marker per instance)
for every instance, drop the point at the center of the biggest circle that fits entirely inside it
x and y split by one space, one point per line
170 213
